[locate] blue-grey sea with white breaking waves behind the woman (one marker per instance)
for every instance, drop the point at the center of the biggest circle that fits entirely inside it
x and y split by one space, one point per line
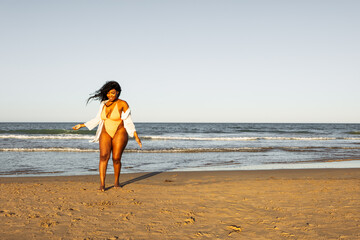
54 149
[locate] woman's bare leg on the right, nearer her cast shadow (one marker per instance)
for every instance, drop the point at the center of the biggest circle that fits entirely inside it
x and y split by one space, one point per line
119 143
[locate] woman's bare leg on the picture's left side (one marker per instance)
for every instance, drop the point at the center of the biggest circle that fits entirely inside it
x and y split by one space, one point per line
105 151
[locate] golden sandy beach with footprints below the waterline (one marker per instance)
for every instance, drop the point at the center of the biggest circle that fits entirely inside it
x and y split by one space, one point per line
272 204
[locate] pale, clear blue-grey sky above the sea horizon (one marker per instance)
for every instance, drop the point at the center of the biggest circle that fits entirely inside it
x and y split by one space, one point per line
182 61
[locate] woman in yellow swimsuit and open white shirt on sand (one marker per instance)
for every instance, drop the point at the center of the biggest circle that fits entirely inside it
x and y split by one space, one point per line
115 124
